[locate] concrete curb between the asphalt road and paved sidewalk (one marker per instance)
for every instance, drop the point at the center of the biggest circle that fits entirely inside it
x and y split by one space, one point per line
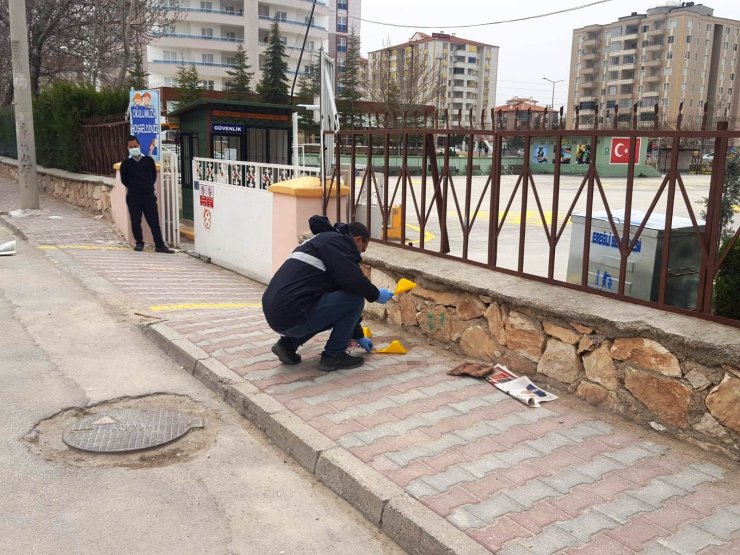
414 527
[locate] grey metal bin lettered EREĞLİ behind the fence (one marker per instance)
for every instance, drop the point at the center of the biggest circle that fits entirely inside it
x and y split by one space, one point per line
642 279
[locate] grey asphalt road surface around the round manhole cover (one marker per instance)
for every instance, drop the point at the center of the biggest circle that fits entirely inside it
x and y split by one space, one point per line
223 489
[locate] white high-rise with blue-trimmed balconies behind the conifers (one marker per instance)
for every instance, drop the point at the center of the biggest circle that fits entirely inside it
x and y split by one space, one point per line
209 32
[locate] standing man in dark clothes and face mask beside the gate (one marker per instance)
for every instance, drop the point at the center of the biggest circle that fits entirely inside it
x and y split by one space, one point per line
139 174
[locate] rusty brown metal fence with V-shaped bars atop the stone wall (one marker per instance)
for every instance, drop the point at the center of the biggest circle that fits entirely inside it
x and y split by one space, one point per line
517 221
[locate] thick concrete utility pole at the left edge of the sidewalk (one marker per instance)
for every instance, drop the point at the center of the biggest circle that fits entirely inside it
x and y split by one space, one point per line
27 178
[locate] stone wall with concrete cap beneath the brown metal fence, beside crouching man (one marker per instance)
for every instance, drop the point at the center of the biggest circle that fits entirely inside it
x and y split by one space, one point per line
672 383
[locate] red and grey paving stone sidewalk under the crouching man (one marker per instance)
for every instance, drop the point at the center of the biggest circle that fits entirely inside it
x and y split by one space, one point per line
561 478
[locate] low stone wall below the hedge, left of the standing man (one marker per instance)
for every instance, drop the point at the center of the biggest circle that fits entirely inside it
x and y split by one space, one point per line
90 192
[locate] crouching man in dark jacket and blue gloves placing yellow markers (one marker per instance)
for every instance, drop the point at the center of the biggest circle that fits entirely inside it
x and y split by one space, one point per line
320 287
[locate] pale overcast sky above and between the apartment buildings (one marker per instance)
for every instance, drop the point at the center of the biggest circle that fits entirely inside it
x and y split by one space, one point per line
528 50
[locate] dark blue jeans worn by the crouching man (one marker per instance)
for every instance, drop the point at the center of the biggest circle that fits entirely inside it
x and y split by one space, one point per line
338 311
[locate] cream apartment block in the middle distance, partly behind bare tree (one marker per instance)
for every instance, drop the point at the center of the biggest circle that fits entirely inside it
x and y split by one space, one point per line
464 71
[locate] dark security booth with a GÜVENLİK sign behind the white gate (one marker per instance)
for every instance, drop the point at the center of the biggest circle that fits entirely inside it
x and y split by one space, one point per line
231 130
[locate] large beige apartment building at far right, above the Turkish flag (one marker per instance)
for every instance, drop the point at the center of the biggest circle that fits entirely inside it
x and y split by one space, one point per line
673 53
